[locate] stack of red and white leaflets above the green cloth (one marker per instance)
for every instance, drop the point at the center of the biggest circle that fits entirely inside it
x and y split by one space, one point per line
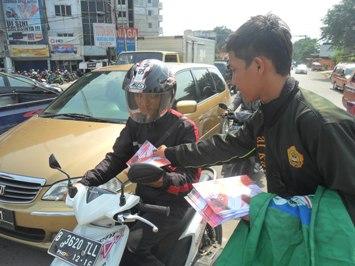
223 199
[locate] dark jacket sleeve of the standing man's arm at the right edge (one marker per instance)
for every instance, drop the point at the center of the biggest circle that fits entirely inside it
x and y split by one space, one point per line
332 146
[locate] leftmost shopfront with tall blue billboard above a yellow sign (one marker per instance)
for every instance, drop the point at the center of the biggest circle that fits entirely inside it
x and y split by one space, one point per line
26 32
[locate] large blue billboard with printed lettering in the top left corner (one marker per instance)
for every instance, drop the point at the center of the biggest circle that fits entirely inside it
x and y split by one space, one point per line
23 21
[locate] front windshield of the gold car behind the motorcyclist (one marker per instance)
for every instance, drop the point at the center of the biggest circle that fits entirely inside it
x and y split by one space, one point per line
98 96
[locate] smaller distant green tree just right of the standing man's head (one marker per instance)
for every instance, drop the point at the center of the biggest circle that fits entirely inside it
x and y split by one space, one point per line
305 48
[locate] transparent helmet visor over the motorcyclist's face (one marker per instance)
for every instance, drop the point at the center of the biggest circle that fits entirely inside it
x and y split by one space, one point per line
148 107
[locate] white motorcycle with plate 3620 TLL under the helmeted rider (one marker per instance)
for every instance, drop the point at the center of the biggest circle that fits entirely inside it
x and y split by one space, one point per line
101 234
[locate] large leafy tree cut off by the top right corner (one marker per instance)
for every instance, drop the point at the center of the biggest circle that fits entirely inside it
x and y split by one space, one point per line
339 26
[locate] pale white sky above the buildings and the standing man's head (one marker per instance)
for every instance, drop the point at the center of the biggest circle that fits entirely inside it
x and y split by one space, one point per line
302 16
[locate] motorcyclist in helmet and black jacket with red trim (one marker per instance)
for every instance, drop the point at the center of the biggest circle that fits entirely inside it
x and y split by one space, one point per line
150 91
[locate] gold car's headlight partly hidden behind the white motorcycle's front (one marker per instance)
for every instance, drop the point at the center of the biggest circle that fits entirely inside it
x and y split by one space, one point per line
59 190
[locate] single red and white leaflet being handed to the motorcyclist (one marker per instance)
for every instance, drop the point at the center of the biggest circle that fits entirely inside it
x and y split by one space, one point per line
145 155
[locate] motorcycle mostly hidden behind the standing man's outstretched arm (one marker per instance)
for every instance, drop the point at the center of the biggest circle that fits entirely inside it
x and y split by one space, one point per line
232 122
